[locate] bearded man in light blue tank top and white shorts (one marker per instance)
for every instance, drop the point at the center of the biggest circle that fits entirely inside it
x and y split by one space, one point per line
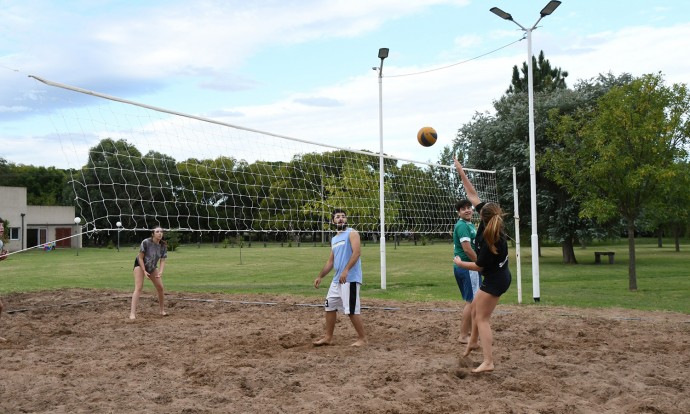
343 293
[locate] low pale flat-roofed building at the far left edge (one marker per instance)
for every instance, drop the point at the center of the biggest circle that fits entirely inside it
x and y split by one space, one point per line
31 226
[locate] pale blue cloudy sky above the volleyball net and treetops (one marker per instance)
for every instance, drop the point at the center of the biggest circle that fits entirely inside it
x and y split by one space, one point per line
305 69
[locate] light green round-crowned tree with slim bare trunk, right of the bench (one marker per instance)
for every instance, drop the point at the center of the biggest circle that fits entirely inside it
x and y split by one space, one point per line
619 157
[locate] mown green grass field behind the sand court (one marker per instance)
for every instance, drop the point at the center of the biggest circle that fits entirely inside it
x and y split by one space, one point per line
414 273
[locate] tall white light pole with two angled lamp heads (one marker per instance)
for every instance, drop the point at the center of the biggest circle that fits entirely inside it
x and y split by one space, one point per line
547 10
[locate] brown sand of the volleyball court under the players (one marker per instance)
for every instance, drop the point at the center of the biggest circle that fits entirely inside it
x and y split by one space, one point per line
76 351
